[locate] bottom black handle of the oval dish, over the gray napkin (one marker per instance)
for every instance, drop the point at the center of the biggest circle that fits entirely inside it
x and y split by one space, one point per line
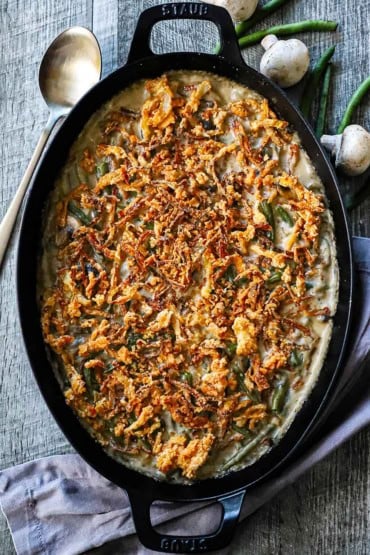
140 507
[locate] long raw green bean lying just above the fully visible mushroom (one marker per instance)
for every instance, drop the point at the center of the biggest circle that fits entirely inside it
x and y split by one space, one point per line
288 29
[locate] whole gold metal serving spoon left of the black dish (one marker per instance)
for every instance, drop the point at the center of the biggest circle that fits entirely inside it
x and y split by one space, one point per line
70 67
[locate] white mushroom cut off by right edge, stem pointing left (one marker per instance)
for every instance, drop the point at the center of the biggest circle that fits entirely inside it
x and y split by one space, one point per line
351 149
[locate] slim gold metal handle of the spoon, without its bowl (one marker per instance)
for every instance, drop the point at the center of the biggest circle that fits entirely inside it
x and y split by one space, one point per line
7 224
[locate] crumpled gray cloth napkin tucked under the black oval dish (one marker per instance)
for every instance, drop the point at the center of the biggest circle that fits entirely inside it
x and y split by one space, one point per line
60 506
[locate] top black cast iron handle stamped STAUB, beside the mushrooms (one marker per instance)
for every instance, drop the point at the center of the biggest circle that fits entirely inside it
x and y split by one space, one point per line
140 46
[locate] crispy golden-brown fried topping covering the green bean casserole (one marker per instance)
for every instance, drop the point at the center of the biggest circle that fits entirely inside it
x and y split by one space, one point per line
176 302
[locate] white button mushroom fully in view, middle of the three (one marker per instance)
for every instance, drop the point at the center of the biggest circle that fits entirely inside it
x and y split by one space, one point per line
285 61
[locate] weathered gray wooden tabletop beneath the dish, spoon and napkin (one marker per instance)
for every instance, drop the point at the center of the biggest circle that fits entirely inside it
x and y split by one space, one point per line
328 510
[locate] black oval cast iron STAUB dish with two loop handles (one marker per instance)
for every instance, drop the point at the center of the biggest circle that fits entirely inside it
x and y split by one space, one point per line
229 490
